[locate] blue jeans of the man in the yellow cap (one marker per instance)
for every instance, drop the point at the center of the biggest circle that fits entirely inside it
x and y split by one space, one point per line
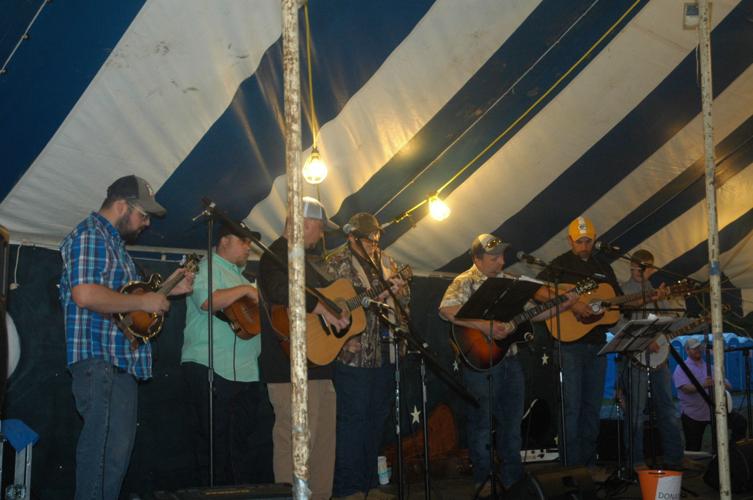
583 382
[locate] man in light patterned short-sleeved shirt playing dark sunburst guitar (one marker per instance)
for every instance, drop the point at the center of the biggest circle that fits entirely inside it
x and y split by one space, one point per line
487 253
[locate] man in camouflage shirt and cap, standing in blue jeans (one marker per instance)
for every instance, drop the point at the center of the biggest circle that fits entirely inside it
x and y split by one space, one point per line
363 372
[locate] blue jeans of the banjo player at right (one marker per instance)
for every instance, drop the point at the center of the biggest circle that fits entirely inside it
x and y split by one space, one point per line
666 420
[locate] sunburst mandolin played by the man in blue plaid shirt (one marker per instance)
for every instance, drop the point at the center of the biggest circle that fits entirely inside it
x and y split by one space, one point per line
141 325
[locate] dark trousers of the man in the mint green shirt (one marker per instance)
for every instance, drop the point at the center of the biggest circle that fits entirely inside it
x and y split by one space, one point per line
243 420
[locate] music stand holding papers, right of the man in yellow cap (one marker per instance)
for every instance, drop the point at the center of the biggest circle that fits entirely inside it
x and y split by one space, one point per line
635 336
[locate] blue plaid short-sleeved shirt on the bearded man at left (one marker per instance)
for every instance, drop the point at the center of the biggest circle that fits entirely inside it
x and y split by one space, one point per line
94 253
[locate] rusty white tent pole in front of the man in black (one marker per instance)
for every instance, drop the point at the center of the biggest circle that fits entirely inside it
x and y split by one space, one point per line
296 263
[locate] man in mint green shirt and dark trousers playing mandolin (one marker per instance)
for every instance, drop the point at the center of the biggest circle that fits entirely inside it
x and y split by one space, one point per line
243 418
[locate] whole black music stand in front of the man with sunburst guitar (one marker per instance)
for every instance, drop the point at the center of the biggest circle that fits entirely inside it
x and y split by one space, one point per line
487 303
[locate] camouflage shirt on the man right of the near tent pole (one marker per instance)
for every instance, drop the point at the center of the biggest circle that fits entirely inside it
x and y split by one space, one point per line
364 350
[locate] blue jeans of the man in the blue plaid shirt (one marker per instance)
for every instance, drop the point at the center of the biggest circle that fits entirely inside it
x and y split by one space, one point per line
106 398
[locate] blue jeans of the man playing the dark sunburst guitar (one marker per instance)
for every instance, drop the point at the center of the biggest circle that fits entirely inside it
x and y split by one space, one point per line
508 398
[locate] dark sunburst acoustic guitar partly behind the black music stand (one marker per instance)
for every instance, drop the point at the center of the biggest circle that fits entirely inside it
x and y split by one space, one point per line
478 353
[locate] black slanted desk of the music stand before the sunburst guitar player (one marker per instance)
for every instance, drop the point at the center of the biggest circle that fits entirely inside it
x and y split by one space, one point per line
498 298
